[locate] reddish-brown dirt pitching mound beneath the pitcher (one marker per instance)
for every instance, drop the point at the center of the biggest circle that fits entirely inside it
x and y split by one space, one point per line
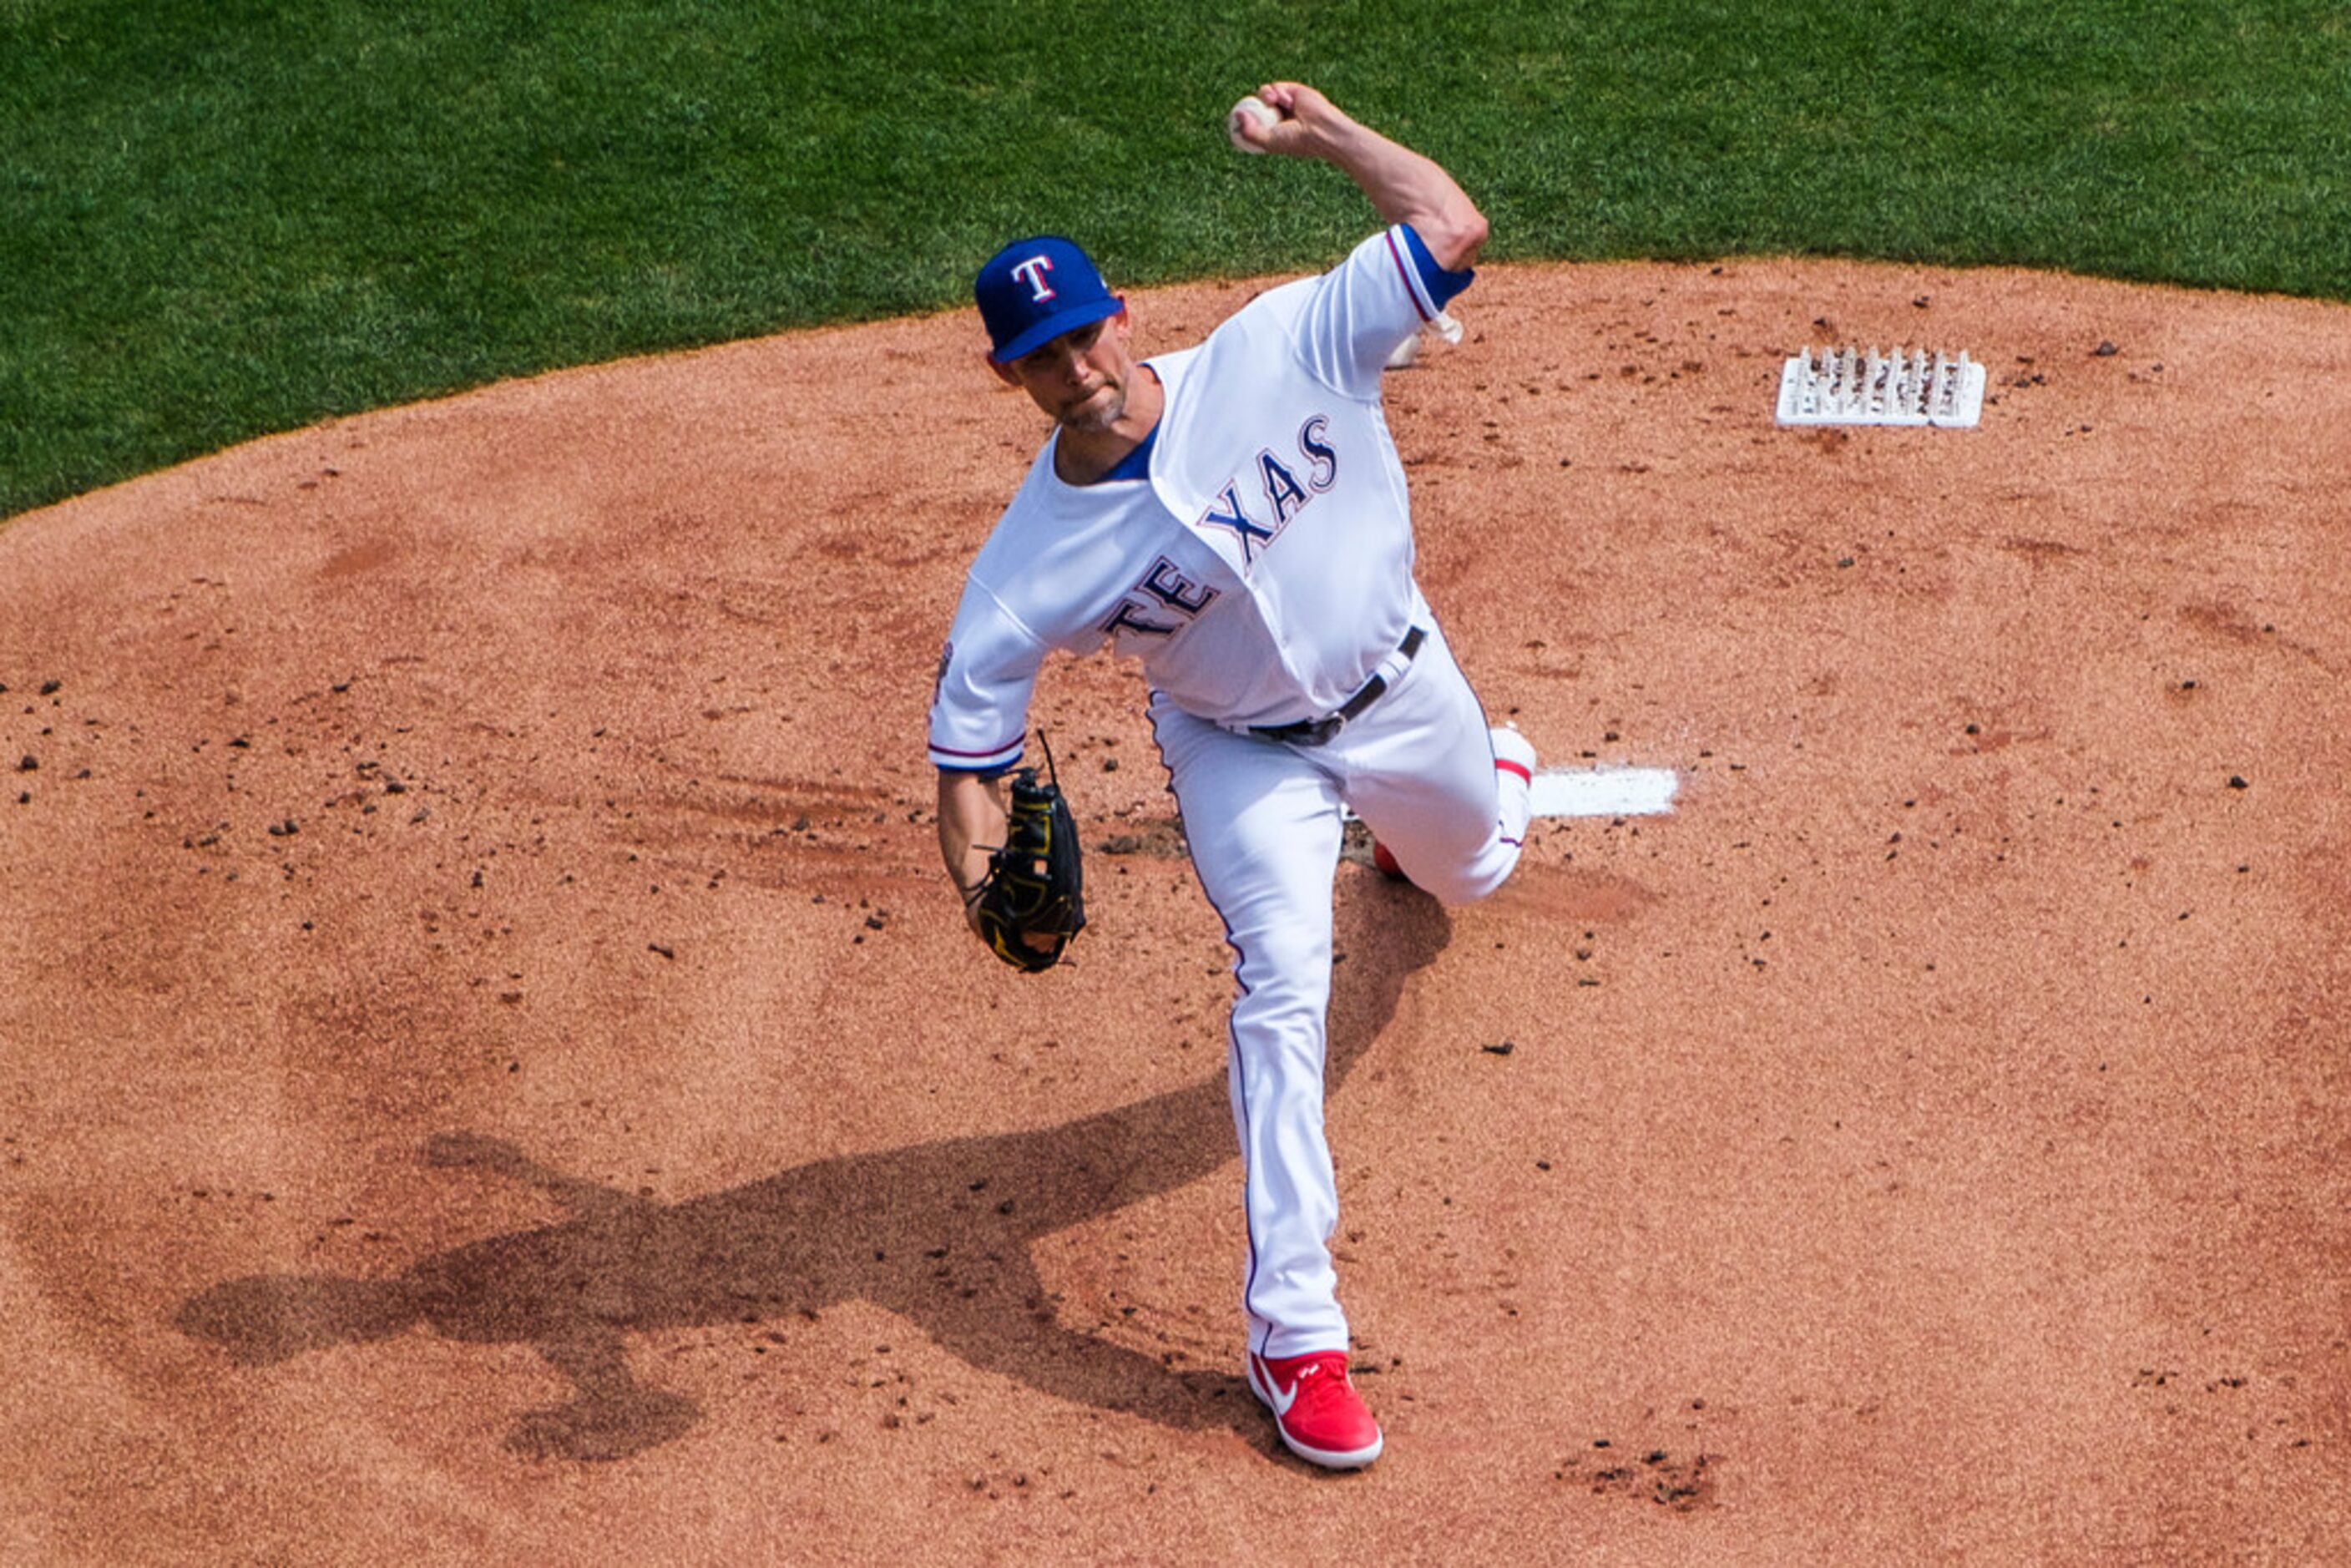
493 1068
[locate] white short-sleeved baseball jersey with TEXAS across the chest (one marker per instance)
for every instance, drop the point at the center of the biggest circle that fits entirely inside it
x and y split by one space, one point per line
1261 568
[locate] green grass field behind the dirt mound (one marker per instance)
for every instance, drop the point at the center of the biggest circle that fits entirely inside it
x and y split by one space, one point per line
232 217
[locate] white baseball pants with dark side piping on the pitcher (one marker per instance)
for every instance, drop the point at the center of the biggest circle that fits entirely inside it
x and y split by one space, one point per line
1264 822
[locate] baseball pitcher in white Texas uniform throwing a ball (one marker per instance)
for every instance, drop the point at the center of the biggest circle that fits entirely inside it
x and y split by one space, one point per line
1235 516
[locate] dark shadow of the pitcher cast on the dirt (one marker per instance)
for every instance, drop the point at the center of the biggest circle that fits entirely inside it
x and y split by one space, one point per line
937 1233
